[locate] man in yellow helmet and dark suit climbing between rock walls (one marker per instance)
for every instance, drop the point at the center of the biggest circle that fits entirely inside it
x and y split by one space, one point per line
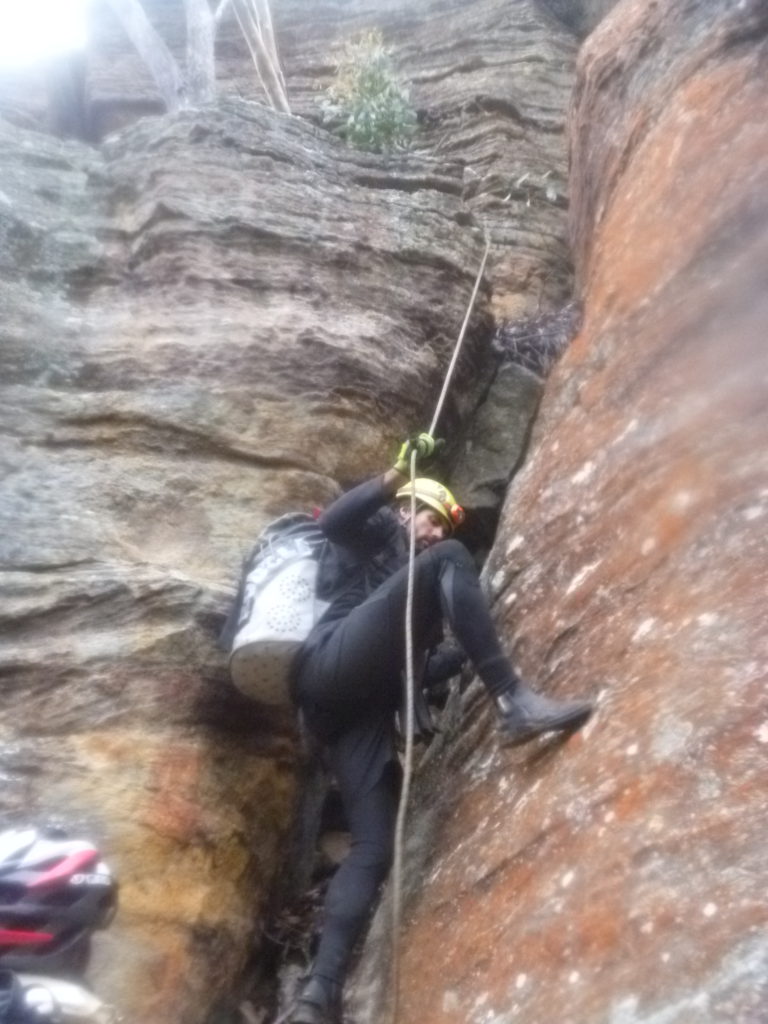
348 680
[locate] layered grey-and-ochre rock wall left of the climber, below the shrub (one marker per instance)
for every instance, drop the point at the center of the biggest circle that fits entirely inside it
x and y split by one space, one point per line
208 322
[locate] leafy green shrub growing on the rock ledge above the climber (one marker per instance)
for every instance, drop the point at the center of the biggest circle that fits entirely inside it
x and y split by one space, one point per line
366 104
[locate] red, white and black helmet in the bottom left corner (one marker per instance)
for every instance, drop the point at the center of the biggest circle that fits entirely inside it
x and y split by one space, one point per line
54 892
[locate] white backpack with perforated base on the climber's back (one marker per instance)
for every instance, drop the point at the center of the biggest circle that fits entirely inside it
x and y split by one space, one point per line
277 607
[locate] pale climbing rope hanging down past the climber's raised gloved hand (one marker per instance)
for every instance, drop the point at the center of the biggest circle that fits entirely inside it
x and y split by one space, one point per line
408 766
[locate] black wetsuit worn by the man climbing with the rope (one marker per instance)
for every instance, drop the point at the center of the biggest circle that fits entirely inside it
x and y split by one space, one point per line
348 680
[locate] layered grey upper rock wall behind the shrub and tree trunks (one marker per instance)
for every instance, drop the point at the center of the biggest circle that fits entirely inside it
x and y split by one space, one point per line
491 80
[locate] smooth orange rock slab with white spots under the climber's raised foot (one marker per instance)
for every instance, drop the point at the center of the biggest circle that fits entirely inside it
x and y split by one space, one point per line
621 878
